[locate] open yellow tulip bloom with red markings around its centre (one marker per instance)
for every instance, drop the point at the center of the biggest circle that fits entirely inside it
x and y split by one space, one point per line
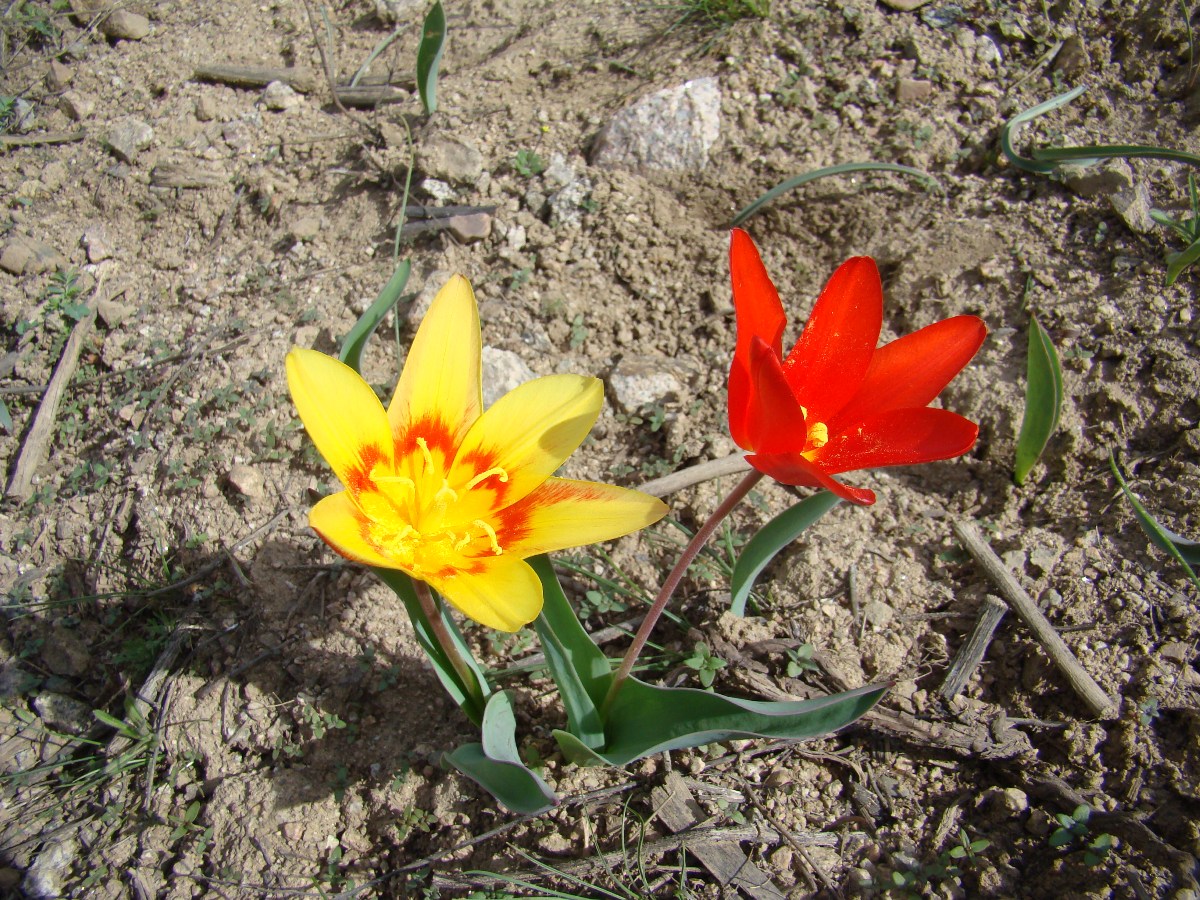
453 495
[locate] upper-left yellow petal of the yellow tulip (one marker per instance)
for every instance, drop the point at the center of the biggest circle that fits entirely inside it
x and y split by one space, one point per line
343 416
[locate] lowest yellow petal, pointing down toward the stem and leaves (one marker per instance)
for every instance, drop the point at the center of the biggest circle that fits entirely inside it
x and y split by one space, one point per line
502 592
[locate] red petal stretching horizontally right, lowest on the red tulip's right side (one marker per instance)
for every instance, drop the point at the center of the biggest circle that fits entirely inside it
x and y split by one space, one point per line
899 437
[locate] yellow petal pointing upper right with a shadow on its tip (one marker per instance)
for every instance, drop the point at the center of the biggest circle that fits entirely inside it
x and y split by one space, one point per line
523 440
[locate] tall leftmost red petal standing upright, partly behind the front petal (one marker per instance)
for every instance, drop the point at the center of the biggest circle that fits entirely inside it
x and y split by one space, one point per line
759 315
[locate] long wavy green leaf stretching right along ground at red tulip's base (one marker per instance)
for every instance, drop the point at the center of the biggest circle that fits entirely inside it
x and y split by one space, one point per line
646 719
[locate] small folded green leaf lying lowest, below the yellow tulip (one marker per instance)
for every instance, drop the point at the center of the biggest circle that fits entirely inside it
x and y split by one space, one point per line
496 764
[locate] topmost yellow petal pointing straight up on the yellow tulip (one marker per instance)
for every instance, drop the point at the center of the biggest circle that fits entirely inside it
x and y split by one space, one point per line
441 381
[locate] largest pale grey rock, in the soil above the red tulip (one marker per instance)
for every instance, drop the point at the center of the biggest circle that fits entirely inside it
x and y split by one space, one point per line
671 130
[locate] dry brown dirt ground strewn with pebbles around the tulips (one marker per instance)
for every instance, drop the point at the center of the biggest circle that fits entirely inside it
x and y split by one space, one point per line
292 740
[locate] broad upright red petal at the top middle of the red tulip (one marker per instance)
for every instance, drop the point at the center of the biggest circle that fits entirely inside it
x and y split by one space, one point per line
829 363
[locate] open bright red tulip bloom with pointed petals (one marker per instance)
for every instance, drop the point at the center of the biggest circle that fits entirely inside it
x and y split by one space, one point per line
838 403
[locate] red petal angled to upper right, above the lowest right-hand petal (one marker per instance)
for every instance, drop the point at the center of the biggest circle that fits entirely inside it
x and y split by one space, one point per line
913 370
